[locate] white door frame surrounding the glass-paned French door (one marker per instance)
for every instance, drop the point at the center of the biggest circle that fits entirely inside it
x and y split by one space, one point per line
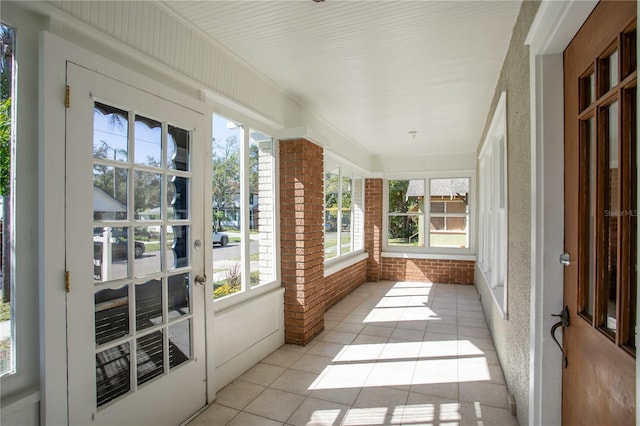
54 54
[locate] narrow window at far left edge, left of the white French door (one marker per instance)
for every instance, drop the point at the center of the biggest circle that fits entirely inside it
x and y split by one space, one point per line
7 347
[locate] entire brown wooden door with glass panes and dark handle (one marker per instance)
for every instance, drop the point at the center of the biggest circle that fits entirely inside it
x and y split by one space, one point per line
600 218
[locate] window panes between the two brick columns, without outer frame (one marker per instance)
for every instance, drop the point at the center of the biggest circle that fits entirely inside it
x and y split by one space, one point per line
343 212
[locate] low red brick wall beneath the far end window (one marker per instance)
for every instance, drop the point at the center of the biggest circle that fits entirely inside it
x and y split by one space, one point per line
429 270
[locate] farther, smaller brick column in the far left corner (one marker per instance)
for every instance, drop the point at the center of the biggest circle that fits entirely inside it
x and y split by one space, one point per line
373 228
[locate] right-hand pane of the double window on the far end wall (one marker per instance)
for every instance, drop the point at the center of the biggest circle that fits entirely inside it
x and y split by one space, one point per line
449 213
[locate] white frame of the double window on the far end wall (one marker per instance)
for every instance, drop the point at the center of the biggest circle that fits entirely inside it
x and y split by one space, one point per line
427 252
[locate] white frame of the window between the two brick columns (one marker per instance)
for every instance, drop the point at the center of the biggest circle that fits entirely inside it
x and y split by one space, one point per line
356 253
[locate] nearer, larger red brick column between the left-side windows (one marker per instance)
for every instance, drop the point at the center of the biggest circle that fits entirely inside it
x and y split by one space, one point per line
302 239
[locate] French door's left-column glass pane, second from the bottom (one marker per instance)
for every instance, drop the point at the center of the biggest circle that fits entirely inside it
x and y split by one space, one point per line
111 314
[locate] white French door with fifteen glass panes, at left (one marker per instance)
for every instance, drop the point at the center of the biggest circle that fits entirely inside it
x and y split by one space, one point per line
134 253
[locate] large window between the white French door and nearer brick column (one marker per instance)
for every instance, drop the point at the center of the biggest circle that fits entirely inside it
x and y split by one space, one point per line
242 208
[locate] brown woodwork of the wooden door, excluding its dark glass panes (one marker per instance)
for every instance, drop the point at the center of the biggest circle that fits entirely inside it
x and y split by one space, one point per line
599 381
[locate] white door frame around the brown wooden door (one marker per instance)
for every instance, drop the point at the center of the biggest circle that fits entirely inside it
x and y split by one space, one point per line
554 26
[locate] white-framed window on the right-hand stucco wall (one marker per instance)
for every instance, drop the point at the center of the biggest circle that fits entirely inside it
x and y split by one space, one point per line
493 208
